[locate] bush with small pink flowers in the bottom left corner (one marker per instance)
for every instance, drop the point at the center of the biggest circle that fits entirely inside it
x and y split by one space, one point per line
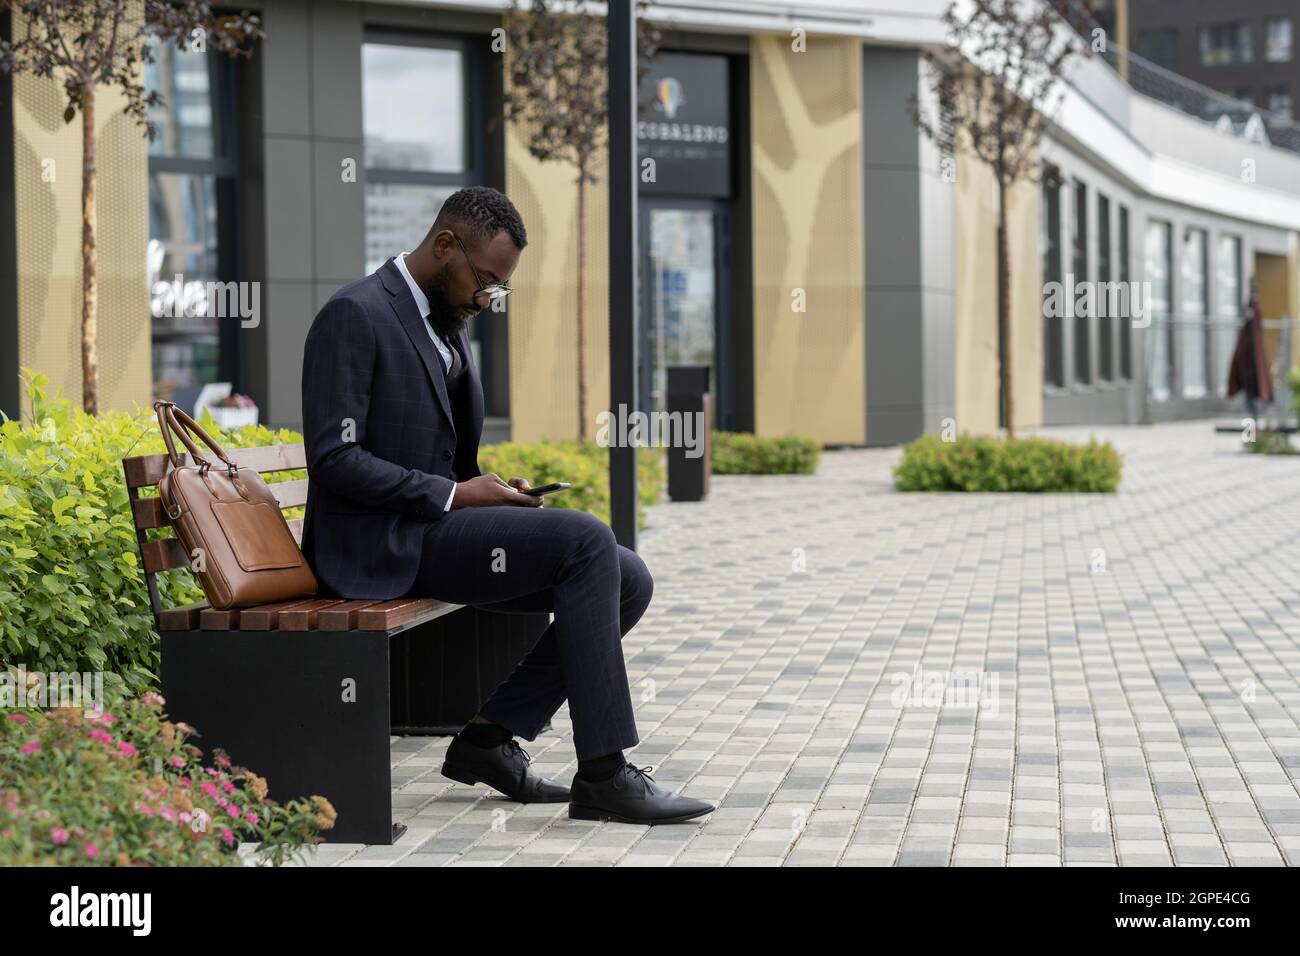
123 788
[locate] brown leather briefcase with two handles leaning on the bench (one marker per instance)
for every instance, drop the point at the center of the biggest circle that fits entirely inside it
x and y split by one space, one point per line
229 524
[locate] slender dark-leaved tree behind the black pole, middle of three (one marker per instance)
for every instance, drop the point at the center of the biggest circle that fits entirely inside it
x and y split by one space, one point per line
556 97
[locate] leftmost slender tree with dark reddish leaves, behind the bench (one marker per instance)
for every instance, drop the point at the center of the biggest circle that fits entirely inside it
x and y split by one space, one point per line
93 44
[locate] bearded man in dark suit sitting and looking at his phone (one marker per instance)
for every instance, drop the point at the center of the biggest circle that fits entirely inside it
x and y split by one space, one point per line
392 417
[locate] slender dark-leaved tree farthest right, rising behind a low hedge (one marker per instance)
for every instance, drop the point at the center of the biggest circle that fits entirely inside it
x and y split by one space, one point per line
995 90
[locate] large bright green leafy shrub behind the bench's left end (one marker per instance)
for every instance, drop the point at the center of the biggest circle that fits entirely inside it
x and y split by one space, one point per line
71 582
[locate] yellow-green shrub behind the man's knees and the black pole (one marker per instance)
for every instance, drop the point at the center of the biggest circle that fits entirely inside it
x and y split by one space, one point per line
584 465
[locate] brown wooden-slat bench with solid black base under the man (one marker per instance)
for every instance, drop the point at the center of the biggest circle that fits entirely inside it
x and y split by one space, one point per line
300 691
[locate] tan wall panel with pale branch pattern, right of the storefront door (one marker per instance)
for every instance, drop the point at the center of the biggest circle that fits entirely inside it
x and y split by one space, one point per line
809 367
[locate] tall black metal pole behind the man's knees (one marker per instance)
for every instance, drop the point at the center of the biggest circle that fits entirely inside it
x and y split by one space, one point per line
622 27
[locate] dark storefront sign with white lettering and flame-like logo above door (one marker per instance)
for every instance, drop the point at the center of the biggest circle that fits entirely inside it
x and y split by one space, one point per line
686 127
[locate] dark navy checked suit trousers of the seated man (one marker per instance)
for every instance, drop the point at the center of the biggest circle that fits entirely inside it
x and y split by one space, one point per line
527 560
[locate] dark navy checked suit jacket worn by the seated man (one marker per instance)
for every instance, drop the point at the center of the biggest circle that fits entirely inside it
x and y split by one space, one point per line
384 444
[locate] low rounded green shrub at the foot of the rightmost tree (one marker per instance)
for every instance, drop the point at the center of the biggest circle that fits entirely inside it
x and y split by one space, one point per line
1020 465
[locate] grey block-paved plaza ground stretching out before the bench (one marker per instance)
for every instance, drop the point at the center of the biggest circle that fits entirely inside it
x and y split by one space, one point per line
861 677
